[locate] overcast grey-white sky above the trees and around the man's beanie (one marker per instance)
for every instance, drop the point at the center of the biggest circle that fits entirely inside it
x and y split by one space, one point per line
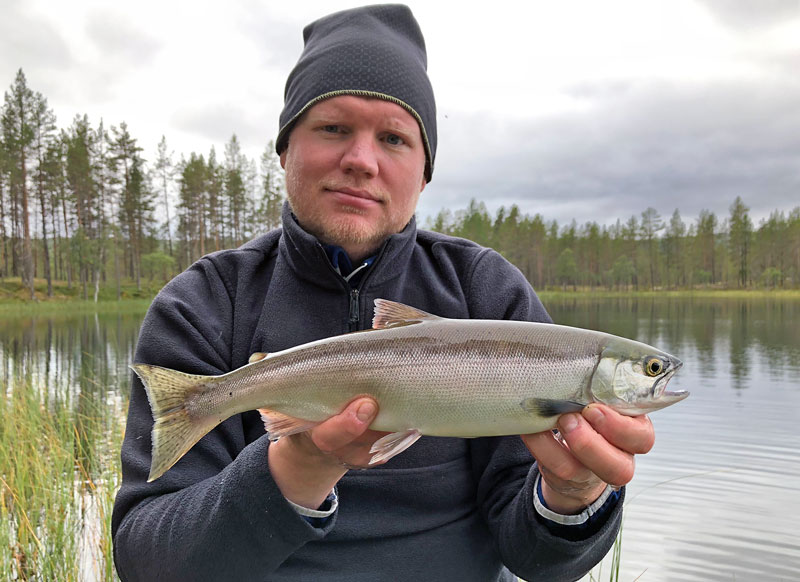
574 109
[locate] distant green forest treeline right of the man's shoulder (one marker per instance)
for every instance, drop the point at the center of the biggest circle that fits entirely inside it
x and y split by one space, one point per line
646 252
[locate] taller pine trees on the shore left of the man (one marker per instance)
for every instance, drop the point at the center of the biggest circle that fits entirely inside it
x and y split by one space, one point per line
82 204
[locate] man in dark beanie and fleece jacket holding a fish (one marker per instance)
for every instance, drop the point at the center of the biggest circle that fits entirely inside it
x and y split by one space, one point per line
357 142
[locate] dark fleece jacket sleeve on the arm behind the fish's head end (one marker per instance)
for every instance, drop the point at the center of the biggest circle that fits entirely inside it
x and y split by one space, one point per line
505 470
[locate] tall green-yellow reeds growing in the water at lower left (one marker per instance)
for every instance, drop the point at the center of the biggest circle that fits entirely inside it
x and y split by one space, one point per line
59 471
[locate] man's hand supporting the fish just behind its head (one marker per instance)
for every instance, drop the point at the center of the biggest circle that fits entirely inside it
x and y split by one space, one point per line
597 448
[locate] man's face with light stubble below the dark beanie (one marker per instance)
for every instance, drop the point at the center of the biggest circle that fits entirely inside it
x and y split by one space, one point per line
355 168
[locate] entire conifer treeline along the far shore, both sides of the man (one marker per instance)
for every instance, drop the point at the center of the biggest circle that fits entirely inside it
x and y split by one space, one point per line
83 204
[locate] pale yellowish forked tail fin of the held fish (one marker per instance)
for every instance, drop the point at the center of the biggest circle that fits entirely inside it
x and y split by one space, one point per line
175 430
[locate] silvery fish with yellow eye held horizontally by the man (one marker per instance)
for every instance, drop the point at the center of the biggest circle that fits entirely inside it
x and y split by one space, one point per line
430 375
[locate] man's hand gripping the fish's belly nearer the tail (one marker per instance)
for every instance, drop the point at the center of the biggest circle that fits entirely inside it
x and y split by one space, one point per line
306 466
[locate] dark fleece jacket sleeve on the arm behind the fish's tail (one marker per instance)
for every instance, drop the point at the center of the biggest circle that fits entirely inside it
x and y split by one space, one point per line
217 514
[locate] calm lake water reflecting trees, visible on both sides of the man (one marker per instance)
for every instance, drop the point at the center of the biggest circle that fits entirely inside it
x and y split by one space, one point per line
717 498
